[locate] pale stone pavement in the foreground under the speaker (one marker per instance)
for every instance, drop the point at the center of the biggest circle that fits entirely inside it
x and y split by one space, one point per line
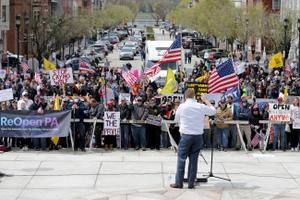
137 175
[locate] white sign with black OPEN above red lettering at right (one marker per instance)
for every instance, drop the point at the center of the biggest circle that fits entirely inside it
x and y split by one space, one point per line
279 112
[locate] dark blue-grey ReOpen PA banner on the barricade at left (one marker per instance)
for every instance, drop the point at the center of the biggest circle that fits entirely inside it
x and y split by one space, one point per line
30 124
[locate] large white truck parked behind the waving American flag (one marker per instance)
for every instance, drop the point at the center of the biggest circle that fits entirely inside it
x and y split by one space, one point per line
154 52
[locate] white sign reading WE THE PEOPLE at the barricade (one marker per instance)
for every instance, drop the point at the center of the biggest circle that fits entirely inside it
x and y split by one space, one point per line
111 123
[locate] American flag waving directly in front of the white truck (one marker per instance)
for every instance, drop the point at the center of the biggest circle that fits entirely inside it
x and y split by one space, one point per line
173 54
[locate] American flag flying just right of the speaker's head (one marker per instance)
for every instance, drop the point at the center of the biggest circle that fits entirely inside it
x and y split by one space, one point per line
222 78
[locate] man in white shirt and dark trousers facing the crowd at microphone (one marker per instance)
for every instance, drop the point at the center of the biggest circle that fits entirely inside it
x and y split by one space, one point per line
190 117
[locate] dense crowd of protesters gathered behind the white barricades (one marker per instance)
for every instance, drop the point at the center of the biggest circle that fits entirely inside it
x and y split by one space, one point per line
93 94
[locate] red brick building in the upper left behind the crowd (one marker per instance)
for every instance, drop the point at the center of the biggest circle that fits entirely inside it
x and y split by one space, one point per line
33 9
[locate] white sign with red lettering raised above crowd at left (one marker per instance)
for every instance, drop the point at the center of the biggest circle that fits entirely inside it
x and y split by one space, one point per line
61 76
